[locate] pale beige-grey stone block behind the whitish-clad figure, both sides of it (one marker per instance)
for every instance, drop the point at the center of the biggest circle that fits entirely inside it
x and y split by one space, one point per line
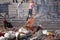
14 11
